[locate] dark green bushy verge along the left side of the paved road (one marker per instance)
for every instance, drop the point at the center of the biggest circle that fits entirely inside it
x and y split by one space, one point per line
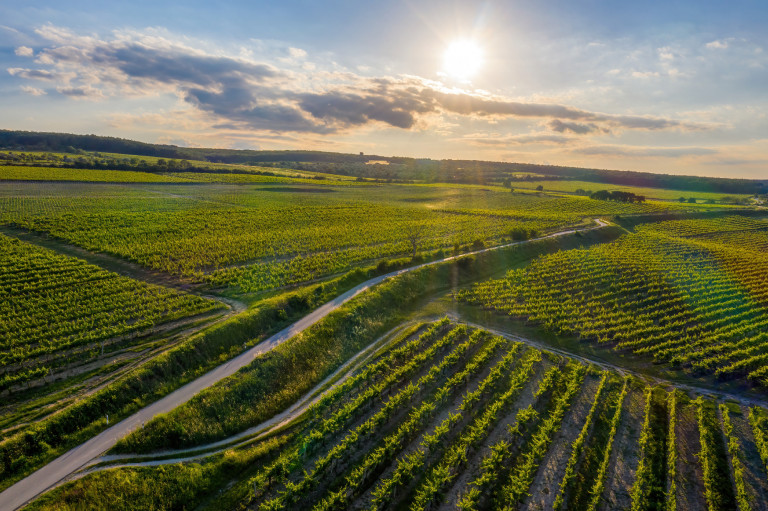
21 453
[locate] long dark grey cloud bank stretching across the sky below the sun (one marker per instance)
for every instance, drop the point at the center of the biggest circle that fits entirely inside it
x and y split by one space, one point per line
239 91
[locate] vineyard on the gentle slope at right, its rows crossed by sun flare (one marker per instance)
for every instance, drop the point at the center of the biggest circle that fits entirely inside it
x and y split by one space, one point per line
690 294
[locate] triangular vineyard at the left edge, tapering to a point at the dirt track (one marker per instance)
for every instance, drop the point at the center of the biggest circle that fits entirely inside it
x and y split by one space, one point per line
58 310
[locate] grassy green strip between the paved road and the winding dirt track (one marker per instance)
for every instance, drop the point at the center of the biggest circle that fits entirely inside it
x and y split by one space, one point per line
287 372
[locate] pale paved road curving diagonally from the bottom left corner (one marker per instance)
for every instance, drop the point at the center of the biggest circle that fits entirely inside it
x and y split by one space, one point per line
62 467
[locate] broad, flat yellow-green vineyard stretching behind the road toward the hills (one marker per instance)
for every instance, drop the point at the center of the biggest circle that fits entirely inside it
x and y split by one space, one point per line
252 239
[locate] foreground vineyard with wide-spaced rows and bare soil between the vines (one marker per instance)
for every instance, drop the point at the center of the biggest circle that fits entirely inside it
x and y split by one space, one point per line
447 416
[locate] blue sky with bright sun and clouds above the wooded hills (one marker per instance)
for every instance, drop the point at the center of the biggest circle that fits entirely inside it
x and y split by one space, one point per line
663 86
